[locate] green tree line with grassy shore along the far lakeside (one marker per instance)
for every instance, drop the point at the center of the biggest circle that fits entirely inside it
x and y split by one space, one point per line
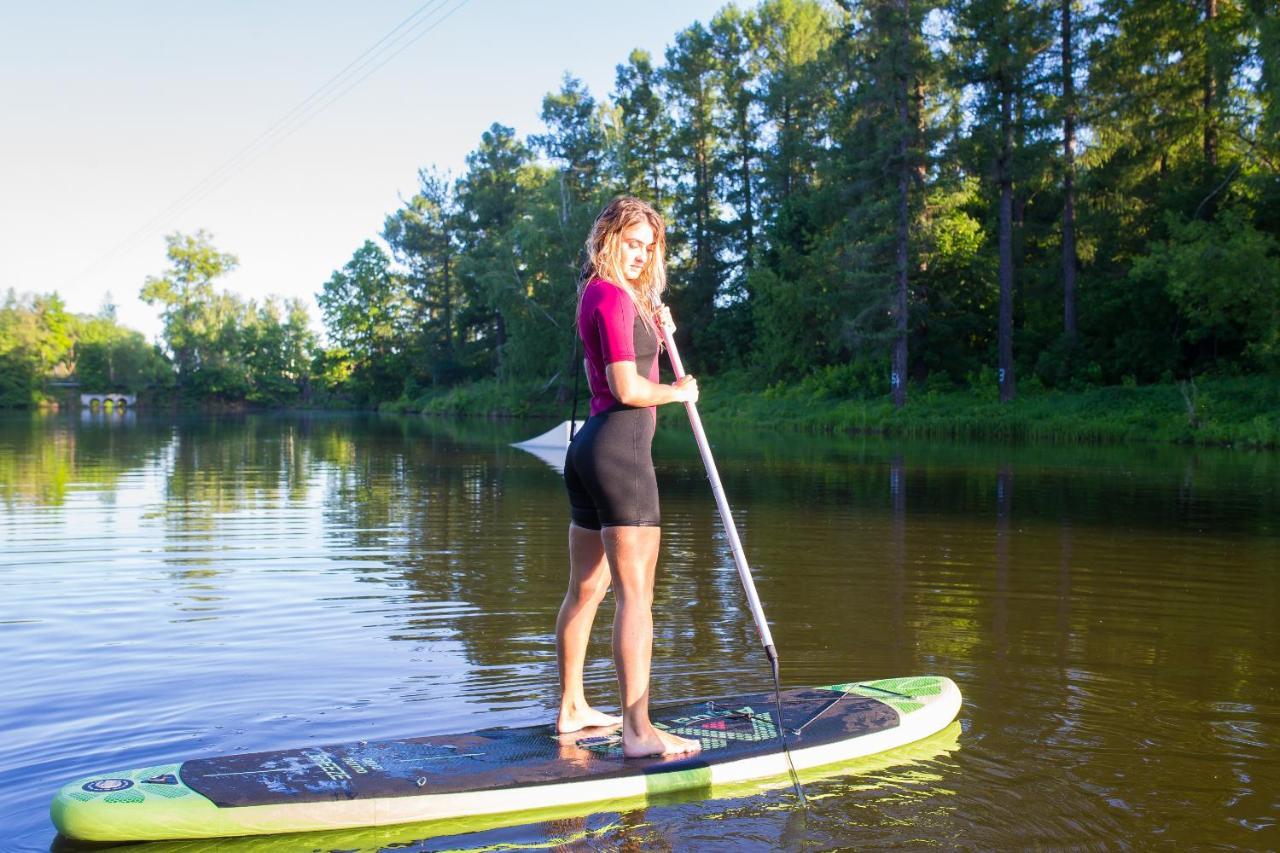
1052 220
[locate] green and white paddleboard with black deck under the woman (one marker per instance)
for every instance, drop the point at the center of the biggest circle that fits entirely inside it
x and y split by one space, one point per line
497 770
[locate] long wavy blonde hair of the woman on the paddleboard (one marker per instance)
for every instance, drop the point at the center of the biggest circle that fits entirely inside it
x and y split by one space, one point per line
605 254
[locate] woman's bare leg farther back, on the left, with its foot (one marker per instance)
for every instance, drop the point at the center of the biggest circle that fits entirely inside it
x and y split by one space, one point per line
588 582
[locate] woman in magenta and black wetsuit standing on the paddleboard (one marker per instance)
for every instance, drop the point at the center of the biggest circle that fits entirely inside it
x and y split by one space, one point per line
612 491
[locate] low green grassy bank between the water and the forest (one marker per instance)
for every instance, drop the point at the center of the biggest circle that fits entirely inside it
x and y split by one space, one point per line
1232 412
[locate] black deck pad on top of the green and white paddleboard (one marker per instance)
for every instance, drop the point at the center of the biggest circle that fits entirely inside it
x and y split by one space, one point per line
499 759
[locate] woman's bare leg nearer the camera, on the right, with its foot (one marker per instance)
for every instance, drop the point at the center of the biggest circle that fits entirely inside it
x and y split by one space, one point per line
633 556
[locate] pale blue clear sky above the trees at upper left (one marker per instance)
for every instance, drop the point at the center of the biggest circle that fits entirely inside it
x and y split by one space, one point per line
127 121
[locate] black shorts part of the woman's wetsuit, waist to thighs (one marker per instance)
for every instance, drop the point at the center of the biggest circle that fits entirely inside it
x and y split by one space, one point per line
609 471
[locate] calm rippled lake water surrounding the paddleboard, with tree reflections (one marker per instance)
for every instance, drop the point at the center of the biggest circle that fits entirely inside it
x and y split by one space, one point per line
176 589
